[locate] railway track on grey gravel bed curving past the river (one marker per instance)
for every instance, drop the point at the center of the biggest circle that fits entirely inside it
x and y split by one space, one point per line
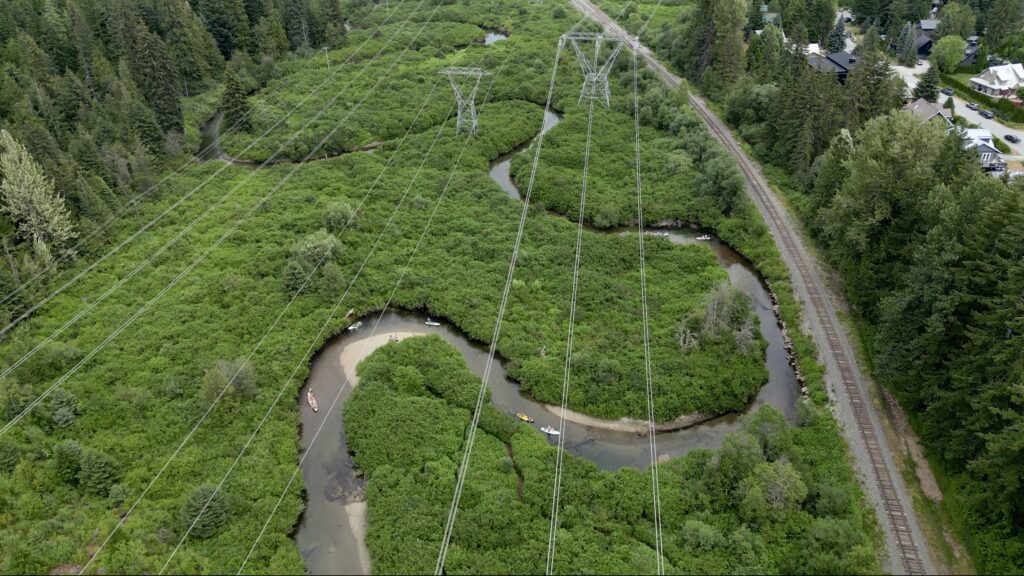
847 387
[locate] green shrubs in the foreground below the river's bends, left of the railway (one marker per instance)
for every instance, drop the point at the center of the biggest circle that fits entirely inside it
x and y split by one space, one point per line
773 501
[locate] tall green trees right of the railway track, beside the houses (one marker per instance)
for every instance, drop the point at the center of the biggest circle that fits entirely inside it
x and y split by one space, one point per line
929 249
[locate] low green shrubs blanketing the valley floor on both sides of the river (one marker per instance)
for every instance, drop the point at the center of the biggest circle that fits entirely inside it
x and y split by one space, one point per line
90 451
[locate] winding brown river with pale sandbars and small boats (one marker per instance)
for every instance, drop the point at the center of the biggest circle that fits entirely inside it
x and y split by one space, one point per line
332 530
